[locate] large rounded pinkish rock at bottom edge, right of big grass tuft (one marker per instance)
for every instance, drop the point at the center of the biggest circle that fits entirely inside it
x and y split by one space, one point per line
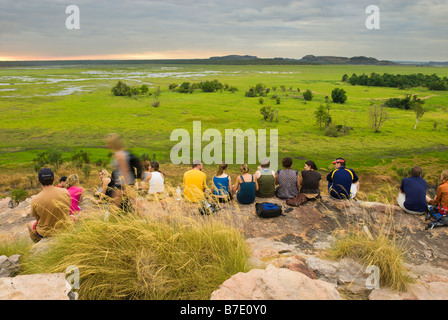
274 284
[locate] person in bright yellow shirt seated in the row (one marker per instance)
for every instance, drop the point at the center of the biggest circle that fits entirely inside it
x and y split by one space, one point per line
195 183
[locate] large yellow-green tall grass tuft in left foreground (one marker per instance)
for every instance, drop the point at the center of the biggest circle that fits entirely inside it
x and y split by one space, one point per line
151 258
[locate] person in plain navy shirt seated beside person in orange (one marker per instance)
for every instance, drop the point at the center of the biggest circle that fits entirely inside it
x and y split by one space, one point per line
412 196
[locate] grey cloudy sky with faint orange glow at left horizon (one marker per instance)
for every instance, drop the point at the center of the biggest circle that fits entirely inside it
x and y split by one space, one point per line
411 30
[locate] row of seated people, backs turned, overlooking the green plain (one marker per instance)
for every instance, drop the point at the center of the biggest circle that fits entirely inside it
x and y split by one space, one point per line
57 202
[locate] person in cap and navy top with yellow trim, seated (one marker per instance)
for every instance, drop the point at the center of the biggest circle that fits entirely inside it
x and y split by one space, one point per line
343 183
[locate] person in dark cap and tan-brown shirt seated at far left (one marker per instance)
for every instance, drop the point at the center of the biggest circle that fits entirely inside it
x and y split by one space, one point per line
49 207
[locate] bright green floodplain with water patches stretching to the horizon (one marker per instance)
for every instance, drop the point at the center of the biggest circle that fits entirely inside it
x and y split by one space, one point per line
72 107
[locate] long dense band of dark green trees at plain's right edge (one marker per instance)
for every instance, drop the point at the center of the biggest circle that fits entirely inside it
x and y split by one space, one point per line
432 82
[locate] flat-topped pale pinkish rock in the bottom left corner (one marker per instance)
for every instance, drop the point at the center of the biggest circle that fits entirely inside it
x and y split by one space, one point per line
49 286
